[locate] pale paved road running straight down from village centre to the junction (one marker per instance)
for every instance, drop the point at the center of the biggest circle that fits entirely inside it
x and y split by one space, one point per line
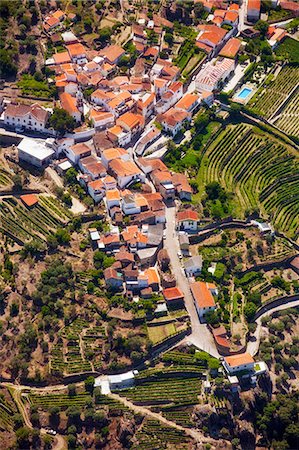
200 336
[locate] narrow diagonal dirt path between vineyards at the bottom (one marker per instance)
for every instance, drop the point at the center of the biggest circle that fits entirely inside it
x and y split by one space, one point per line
197 435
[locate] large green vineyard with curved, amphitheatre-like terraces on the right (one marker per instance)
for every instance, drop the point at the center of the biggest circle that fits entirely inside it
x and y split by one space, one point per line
259 170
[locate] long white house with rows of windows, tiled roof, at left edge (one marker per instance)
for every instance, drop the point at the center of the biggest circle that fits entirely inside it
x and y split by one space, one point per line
29 117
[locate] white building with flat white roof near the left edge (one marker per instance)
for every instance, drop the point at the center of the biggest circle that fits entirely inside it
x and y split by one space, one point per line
35 153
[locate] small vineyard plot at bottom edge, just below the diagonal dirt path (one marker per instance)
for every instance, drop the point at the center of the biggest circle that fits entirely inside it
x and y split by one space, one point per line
153 435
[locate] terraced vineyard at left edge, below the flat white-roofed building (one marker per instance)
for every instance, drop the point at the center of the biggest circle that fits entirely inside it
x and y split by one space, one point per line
22 224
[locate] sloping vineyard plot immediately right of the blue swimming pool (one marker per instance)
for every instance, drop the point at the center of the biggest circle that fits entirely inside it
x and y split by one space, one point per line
269 98
